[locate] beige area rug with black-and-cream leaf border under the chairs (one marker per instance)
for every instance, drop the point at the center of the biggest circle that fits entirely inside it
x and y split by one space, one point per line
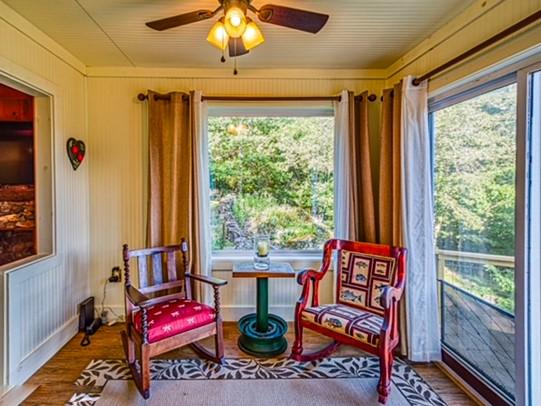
253 382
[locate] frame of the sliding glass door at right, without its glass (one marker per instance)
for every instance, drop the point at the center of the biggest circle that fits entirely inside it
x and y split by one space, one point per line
528 224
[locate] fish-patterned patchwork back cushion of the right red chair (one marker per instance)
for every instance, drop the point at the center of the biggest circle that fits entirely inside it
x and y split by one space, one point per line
361 278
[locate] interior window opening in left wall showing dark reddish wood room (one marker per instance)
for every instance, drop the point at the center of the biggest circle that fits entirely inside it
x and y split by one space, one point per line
26 226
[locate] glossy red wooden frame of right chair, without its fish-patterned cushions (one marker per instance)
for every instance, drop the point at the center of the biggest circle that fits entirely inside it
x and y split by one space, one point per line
389 335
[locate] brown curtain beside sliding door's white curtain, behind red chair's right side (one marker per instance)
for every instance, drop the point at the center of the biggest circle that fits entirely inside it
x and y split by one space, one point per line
389 202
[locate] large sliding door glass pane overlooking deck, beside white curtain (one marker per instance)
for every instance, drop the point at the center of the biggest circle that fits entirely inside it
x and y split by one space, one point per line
474 138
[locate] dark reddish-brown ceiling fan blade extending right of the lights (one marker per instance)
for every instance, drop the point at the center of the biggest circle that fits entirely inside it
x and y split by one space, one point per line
293 18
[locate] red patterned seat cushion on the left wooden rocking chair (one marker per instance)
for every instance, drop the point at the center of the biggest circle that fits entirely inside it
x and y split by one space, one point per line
173 317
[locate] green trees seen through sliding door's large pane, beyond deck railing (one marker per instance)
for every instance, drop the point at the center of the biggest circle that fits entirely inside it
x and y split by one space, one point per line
475 186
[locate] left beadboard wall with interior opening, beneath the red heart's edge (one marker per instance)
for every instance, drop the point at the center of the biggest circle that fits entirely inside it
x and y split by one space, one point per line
43 297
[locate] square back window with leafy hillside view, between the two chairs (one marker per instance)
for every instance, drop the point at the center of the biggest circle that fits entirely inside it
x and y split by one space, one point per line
271 174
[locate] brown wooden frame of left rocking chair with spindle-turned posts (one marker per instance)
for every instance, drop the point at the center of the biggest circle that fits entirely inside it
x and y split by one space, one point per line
135 342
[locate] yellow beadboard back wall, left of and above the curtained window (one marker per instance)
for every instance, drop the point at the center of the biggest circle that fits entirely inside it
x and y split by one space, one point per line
117 138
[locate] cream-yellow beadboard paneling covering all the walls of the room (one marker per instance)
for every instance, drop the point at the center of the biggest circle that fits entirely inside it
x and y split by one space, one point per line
101 208
